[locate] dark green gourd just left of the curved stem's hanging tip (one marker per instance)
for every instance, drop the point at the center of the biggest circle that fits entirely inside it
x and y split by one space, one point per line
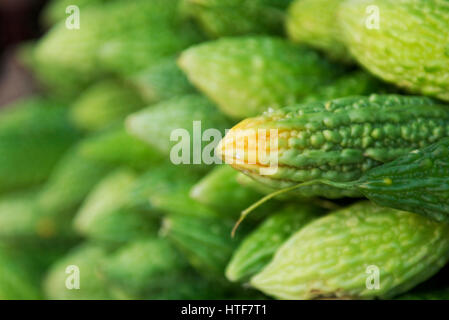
206 242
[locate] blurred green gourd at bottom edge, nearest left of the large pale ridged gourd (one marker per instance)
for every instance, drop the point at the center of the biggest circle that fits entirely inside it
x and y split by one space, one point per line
150 268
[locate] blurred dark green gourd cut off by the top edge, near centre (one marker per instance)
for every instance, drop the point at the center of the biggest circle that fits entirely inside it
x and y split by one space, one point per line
219 18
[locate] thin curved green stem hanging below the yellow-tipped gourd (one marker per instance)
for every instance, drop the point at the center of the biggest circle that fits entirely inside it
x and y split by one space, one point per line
244 214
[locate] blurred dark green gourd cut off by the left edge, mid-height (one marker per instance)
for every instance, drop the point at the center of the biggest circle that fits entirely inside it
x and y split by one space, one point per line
34 134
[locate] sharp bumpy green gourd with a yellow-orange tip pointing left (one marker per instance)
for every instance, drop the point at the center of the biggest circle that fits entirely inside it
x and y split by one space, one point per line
336 140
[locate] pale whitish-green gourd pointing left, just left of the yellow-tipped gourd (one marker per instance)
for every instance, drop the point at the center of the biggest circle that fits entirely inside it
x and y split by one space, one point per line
172 123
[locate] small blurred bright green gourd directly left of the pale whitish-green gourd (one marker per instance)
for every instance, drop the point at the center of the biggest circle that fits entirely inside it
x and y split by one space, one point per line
114 146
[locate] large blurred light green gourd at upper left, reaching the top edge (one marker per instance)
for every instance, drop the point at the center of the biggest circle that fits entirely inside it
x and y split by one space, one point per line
119 36
